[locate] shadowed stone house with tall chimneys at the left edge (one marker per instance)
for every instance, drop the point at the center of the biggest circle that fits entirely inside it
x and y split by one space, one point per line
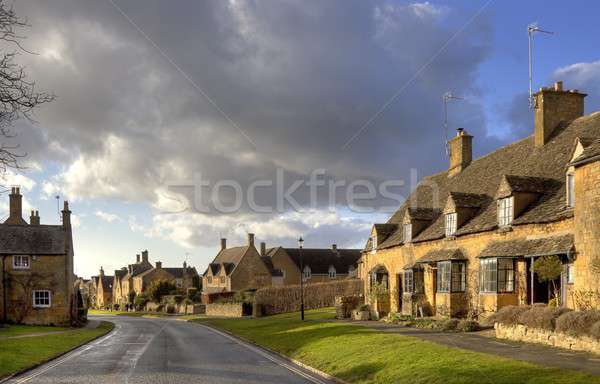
37 279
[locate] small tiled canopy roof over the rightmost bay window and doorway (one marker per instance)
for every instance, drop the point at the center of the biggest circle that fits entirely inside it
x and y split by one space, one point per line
554 245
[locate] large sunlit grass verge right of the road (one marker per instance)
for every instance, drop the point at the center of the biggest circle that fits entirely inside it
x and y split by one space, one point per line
362 355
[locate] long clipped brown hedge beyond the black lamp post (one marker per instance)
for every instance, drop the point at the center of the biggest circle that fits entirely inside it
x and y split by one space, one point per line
273 300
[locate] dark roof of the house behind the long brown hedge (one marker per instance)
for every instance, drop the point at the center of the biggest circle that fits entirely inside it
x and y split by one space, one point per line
319 259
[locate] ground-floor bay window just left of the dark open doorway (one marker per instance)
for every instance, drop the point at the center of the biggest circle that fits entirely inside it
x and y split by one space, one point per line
497 275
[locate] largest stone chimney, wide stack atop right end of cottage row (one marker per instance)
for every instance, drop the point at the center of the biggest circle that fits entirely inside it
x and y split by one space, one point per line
554 106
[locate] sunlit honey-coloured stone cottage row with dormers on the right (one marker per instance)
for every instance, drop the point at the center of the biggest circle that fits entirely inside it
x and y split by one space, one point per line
466 239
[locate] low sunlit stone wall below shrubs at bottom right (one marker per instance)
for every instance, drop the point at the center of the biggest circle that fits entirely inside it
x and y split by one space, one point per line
521 332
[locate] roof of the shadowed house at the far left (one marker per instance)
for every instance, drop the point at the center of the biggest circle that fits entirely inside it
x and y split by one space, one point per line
32 239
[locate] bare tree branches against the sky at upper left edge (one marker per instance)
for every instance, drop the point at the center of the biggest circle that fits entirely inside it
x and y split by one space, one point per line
18 94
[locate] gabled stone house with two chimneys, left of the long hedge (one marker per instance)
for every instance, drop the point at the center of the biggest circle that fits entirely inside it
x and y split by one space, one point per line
237 269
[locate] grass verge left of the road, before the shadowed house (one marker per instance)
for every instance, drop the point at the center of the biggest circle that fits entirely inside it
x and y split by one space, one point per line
23 353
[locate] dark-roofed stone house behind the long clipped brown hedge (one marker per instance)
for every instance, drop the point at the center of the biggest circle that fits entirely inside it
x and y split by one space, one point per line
318 264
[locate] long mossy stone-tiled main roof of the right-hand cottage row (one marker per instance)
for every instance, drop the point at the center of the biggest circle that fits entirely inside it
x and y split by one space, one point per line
483 176
